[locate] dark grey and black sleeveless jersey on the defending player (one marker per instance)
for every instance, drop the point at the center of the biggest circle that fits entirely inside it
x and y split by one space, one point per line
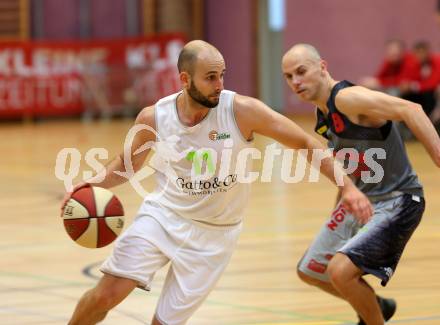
375 158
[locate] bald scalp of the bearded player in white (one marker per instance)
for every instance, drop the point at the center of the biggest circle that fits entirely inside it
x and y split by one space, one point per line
193 51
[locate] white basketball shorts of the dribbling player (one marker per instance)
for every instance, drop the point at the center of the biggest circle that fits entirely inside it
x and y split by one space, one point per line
198 255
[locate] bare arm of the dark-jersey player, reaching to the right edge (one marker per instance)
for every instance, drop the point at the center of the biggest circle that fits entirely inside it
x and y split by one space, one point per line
379 106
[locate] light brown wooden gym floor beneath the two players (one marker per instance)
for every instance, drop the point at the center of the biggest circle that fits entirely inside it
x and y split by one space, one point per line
43 273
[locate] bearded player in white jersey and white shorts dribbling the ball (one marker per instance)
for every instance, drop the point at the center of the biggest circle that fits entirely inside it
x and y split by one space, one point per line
194 224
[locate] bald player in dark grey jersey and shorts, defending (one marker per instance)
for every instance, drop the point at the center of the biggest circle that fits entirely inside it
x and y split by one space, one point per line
354 118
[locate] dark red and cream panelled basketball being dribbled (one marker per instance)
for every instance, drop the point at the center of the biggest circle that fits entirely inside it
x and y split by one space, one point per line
93 217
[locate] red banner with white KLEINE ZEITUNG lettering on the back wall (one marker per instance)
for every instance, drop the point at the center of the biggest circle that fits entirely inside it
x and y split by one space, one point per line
65 78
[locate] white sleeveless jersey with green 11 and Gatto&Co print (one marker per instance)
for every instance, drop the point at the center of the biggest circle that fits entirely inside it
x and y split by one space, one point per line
200 168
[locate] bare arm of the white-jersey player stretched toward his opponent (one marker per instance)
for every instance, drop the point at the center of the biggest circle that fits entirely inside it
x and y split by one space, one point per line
254 116
